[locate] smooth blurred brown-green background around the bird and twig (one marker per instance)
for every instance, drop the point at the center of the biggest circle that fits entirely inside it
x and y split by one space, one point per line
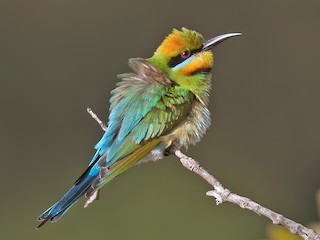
59 57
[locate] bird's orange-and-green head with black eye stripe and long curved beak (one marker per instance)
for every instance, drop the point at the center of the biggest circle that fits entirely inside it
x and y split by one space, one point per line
186 58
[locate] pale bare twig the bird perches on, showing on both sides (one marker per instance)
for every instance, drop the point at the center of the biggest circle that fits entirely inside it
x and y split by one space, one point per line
222 194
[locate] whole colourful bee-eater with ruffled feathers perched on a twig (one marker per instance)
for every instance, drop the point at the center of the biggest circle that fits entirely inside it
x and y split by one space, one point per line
161 104
